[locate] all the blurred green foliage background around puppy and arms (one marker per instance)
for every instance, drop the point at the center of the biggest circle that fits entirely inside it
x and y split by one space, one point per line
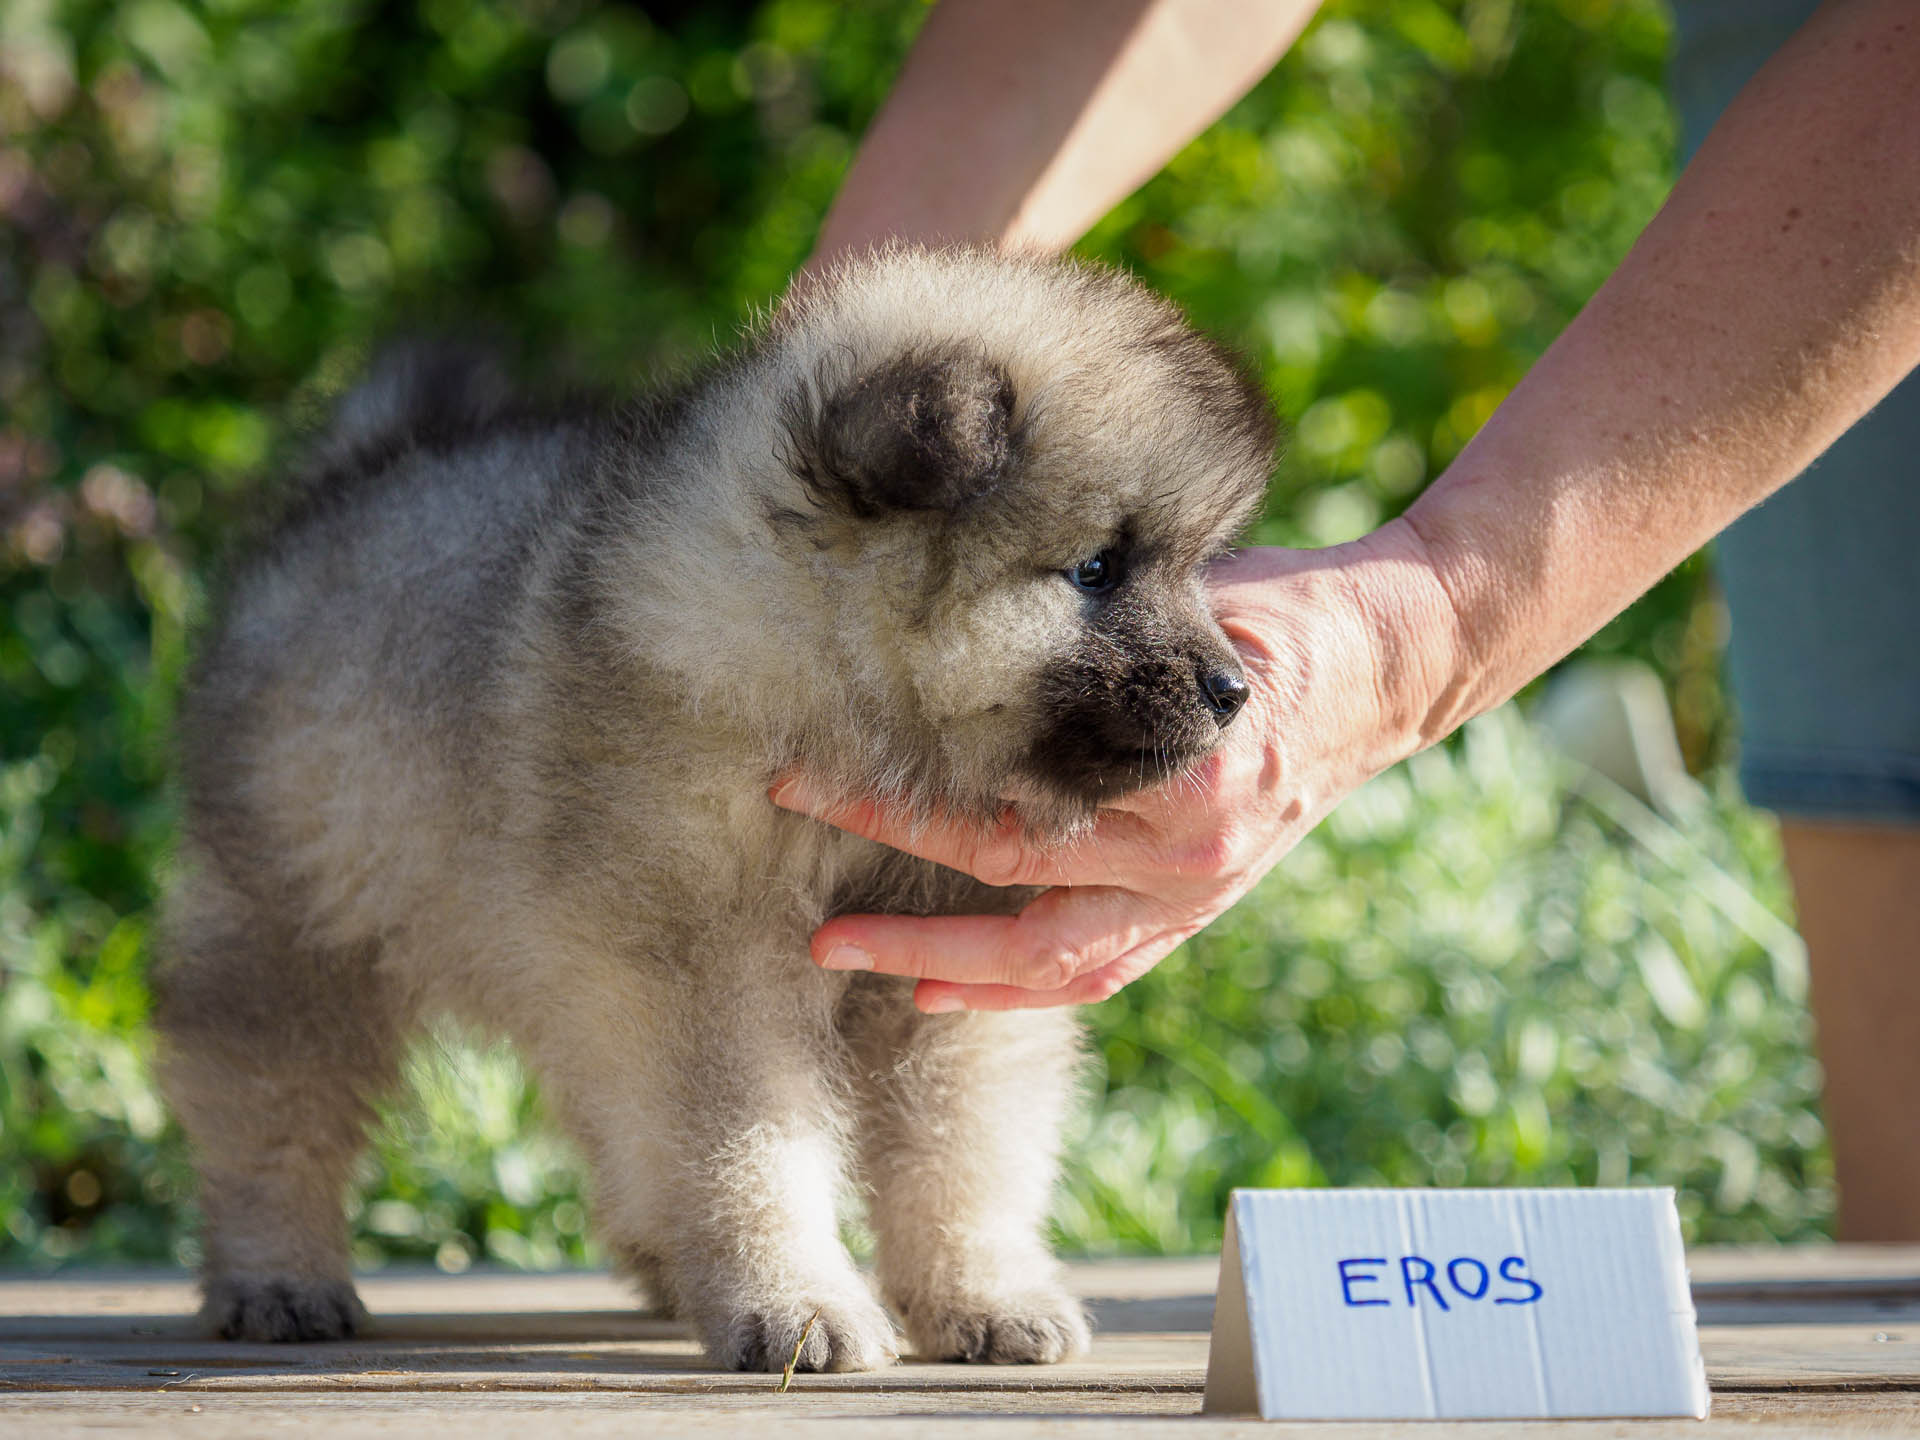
1481 971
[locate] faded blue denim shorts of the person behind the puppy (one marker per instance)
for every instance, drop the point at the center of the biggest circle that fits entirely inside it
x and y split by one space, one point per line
1823 581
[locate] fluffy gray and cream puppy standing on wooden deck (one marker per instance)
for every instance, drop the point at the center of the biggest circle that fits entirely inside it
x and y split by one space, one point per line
487 729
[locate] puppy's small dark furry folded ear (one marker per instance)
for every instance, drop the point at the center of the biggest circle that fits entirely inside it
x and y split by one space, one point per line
921 433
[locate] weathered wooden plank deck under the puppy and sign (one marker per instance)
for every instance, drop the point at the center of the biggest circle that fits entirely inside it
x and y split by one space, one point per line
1815 1341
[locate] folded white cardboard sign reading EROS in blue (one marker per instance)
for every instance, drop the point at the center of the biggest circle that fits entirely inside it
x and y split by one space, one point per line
1454 1305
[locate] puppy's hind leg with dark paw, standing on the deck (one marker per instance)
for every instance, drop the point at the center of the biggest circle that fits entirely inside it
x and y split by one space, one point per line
272 1057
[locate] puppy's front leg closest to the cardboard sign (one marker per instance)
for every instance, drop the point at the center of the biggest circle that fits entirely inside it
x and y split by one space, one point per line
961 1136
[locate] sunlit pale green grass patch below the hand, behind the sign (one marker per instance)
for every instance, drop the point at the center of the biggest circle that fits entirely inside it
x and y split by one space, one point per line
1481 971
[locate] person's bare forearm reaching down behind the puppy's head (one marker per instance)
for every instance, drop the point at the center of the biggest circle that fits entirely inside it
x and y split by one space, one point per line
1022 122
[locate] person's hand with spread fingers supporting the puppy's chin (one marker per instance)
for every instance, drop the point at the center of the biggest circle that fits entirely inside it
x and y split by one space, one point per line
1347 652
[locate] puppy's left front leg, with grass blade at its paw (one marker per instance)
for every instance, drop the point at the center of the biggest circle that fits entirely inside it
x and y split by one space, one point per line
711 1107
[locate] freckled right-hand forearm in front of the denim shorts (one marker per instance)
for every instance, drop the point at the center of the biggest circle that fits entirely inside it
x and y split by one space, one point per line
1769 306
